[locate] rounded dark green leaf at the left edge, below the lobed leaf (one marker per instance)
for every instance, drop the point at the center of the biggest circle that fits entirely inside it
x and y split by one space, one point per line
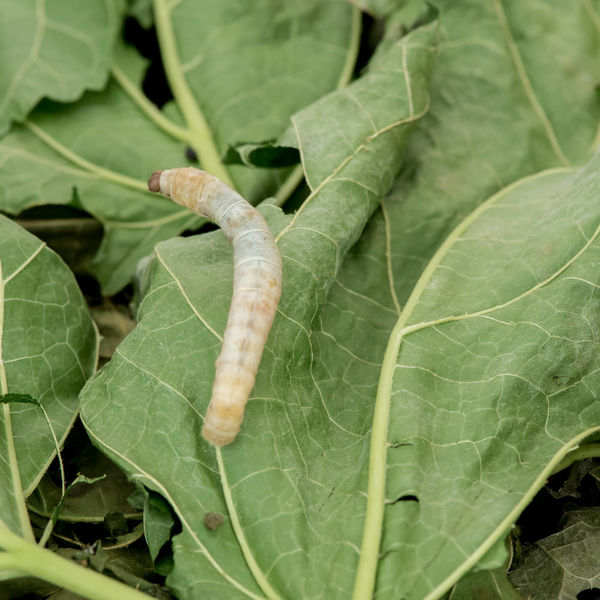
48 348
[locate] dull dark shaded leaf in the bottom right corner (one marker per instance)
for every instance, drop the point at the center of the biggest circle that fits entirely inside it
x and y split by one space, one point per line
565 563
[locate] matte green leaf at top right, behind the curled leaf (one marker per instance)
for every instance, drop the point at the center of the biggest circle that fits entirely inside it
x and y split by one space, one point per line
501 108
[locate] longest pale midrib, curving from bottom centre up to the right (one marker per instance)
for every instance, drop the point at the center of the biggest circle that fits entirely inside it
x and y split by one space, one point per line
369 558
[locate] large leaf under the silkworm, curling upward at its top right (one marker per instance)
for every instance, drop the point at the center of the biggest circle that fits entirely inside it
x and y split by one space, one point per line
292 486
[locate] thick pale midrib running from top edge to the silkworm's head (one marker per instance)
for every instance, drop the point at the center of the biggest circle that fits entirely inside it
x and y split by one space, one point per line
202 139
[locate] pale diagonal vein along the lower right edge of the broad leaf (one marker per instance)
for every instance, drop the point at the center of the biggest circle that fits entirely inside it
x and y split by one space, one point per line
510 518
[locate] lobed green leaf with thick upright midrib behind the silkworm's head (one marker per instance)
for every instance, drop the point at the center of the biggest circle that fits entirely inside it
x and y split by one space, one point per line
231 80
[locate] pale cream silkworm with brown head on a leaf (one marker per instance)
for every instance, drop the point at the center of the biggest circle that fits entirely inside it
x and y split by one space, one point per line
256 291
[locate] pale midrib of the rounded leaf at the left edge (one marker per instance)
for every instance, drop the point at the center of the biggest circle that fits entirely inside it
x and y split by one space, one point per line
26 530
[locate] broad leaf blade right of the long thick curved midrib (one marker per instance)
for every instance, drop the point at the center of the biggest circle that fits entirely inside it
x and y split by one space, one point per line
476 373
